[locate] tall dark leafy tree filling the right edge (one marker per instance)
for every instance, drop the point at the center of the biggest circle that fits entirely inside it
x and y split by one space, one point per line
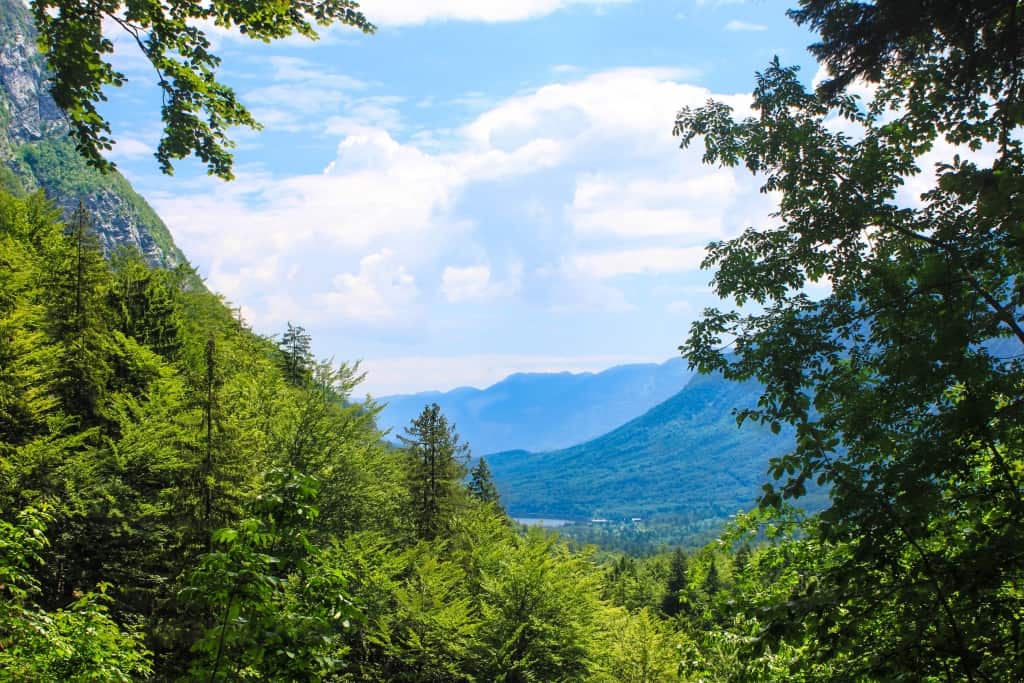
905 383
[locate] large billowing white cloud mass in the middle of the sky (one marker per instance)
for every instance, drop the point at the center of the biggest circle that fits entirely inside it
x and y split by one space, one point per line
590 183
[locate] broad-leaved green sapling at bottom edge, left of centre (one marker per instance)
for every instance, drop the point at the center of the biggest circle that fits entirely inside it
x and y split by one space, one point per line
277 612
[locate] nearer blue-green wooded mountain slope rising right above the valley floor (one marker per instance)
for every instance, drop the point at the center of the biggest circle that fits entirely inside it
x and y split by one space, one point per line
686 458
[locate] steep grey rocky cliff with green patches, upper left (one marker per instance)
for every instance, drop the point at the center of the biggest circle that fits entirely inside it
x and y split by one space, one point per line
36 153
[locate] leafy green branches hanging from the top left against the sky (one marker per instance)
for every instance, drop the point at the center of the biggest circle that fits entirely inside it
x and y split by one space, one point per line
198 110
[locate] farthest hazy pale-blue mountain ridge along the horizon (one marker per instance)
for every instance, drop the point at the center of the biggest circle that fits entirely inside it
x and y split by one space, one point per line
544 411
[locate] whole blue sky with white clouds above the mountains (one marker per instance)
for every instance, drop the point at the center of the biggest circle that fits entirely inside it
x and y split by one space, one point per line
479 189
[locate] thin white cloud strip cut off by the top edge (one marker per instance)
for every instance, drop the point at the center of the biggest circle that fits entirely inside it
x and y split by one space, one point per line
406 13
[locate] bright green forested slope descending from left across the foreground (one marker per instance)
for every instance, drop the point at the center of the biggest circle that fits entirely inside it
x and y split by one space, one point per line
185 500
